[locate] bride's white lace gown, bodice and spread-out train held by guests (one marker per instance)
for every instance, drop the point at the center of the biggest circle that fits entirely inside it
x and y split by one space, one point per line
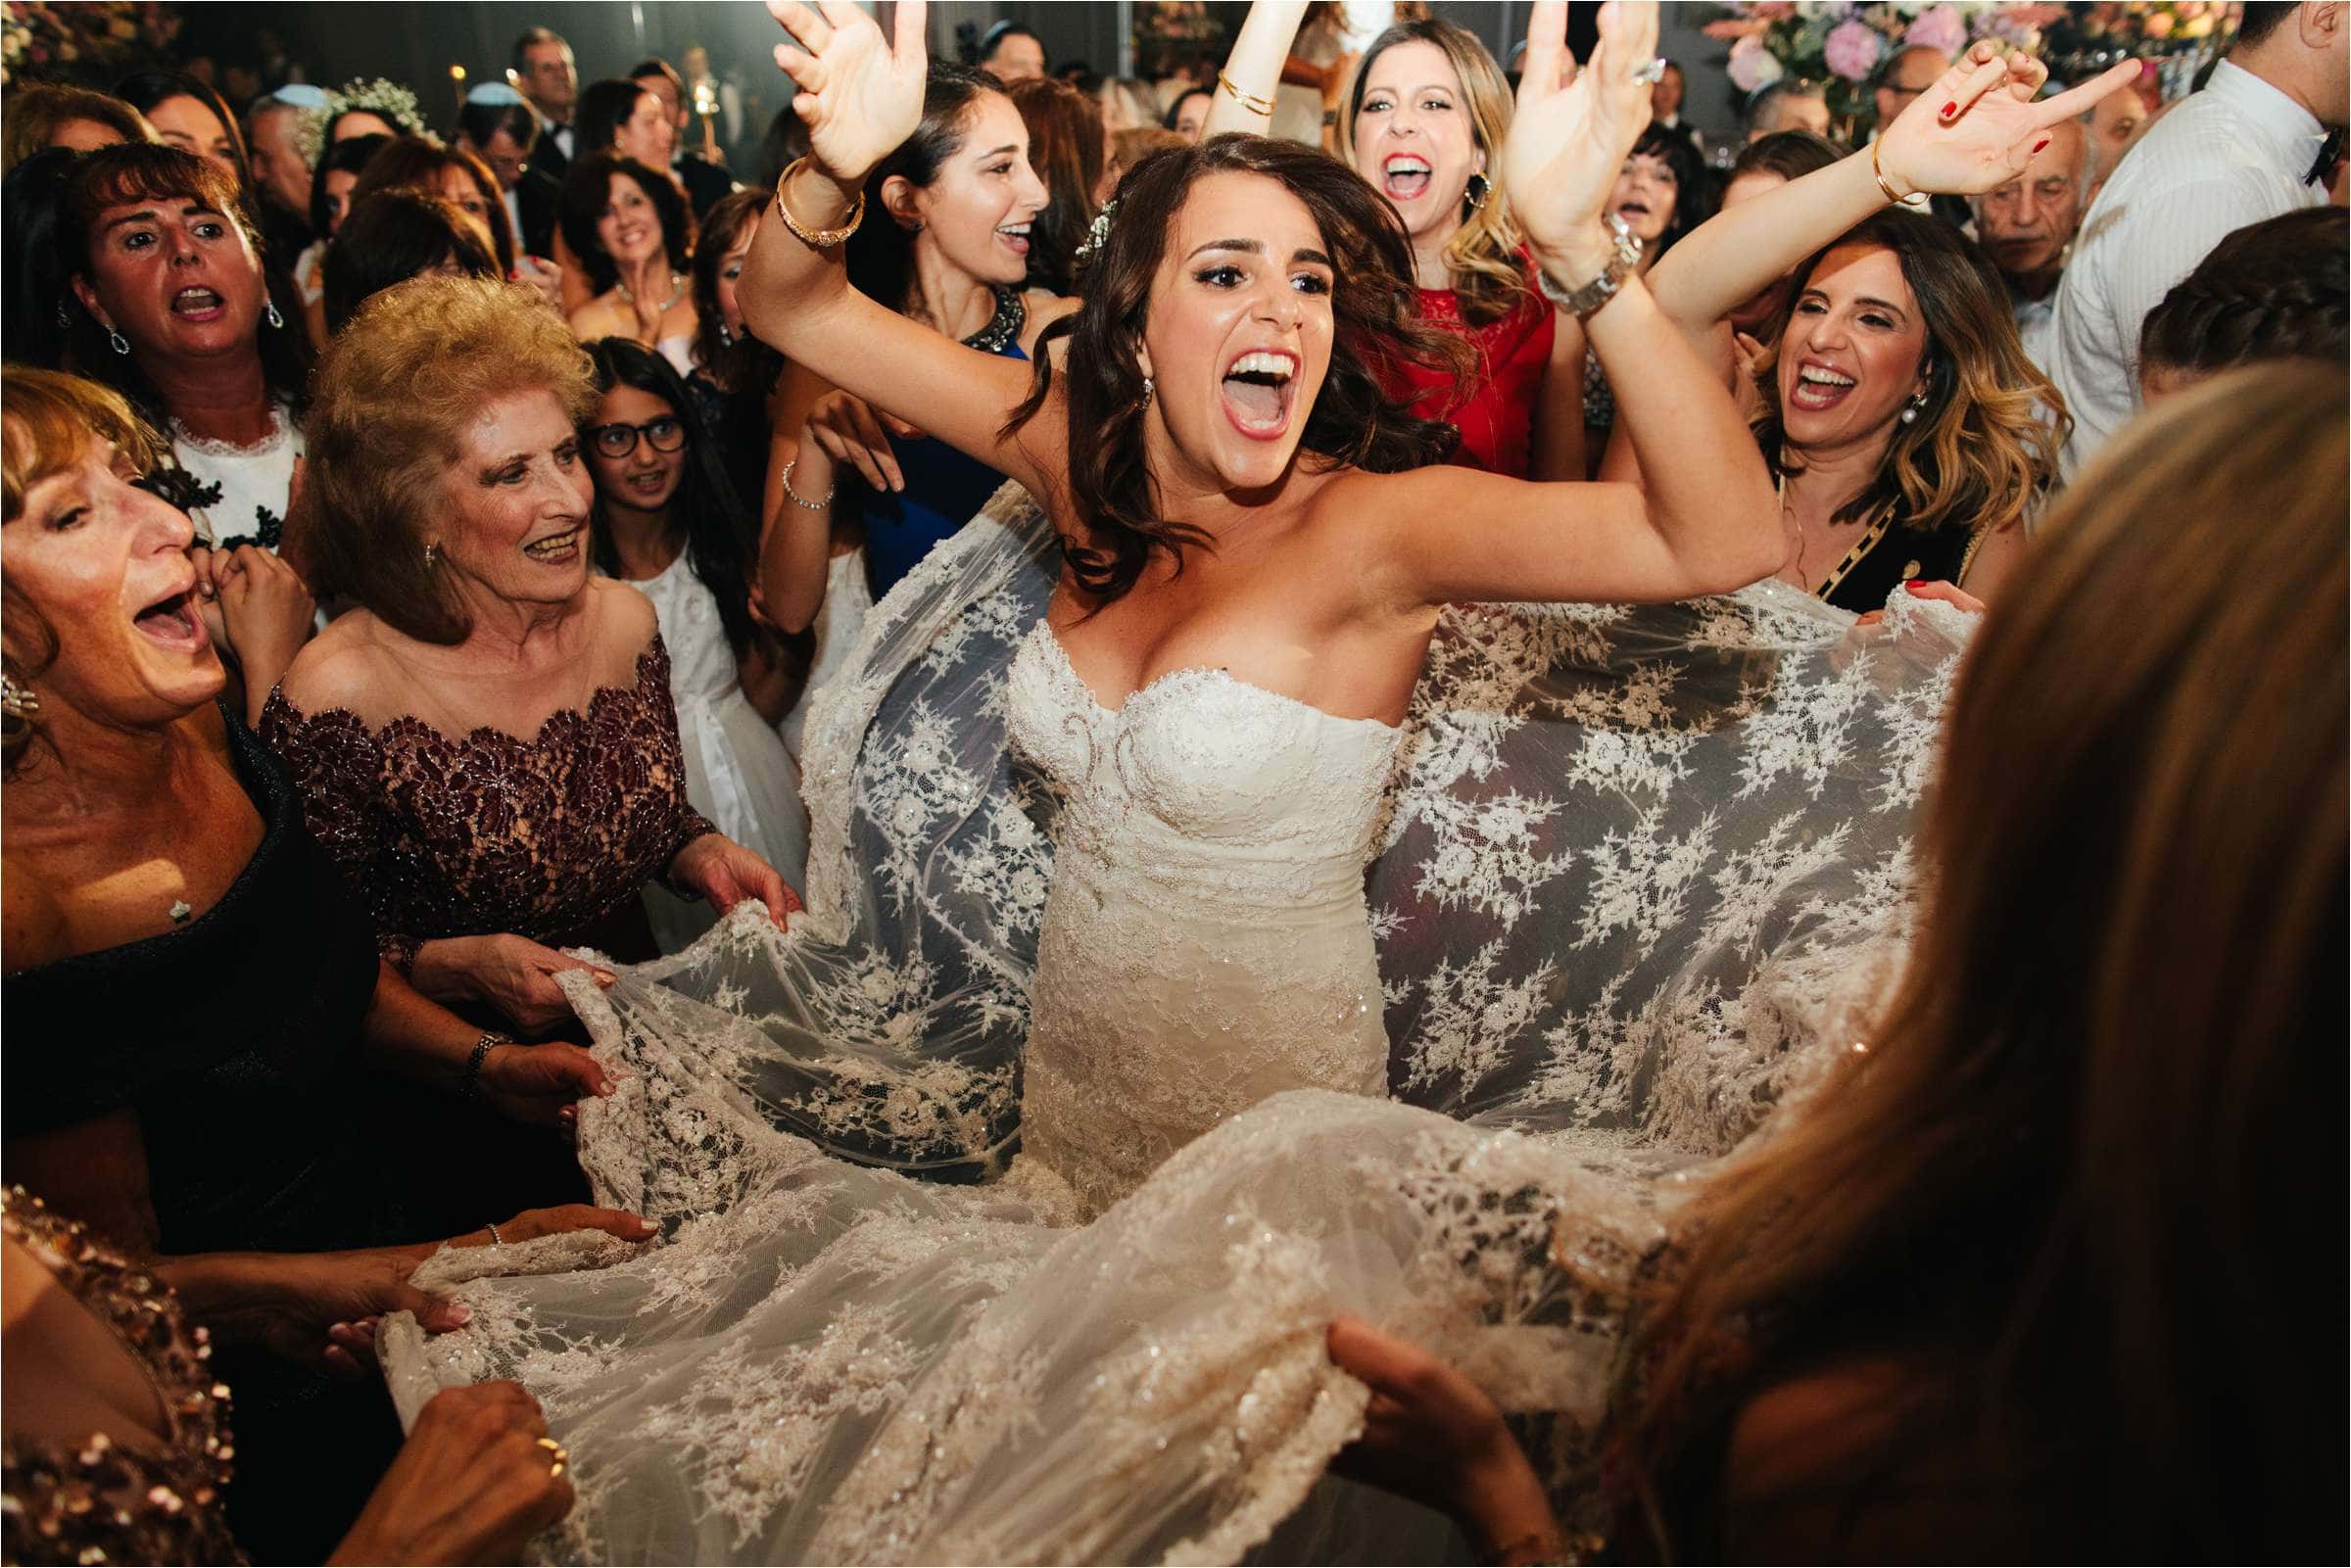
1637 883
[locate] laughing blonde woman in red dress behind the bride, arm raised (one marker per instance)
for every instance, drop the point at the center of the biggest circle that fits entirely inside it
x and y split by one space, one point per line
1421 121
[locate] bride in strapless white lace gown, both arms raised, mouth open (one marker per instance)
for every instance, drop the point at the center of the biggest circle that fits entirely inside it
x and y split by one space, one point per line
840 1365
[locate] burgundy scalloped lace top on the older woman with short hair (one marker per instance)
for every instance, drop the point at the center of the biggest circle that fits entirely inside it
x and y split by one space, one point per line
488 833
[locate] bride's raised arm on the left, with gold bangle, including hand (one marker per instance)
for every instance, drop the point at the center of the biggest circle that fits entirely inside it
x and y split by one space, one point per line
862 95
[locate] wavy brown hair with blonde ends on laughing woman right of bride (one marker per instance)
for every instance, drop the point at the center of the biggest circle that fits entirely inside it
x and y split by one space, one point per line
1985 445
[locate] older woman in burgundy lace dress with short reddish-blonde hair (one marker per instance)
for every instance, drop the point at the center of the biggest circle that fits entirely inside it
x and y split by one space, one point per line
488 746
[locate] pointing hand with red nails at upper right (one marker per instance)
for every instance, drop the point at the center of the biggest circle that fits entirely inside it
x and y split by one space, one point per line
1992 128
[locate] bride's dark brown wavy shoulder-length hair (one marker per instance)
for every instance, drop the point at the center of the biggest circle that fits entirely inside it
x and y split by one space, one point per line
1355 420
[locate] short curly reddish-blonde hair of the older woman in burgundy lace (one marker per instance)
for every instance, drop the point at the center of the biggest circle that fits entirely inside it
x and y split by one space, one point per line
394 391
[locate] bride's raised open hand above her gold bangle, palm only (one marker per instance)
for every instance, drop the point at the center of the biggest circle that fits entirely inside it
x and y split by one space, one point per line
857 93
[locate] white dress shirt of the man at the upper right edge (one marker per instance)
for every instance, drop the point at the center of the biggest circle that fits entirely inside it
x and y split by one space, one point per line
2235 154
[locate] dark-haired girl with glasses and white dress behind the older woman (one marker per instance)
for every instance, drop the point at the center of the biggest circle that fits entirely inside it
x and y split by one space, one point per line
669 523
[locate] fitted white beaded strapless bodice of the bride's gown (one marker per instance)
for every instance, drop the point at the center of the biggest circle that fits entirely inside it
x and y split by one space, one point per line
1205 944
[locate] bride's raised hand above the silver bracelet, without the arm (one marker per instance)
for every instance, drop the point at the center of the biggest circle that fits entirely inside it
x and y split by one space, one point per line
1569 140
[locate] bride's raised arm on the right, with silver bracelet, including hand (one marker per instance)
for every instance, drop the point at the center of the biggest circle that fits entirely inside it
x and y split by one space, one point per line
1706 521
